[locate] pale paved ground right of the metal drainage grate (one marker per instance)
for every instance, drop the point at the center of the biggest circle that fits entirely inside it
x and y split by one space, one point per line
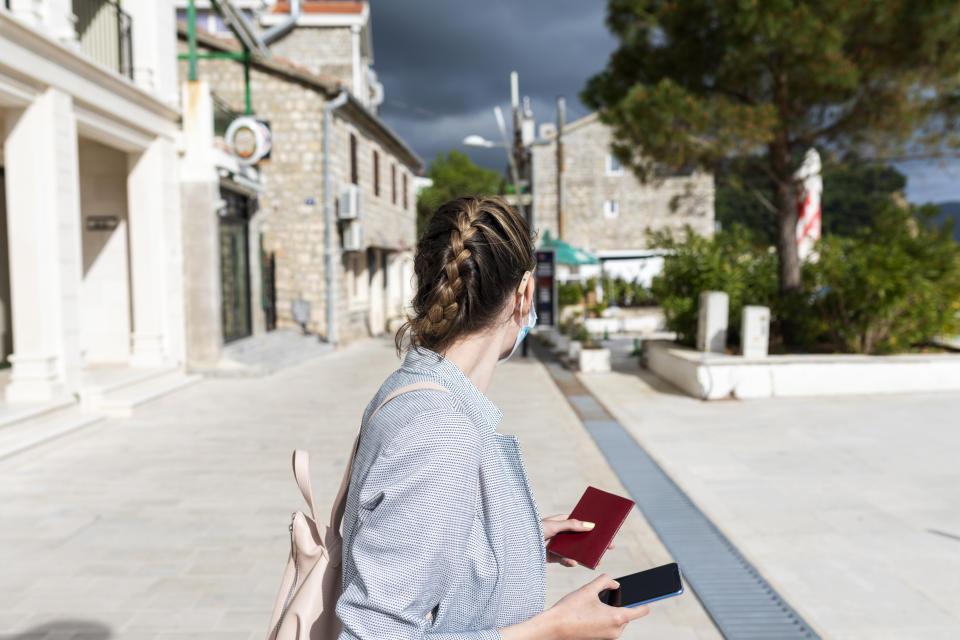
849 506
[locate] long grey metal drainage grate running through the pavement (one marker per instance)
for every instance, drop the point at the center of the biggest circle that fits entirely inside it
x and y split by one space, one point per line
741 603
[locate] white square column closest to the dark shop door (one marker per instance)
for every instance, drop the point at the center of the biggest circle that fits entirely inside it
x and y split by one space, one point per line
147 191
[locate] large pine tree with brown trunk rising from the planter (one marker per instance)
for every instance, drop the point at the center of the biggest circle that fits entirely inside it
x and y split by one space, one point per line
698 81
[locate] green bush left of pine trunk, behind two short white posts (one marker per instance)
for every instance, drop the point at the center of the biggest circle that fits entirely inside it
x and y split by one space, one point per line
729 261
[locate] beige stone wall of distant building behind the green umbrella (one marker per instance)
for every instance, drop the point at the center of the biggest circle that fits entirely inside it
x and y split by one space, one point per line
668 203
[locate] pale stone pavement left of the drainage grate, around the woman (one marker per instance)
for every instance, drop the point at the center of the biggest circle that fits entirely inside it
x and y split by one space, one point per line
172 523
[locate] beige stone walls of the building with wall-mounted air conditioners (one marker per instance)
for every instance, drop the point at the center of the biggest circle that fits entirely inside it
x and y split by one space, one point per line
292 203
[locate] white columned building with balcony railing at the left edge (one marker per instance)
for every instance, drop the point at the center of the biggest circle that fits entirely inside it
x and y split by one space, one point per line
90 236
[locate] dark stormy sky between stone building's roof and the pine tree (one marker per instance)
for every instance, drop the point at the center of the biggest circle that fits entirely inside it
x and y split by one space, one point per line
444 64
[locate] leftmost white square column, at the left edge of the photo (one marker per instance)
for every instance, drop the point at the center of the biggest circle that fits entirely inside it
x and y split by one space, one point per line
43 219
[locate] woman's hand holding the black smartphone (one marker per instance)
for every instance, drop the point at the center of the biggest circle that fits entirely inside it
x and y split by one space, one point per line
581 615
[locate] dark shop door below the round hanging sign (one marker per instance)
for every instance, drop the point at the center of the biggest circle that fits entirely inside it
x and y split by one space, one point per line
234 265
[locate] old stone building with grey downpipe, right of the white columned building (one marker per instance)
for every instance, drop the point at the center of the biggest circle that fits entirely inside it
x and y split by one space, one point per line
371 169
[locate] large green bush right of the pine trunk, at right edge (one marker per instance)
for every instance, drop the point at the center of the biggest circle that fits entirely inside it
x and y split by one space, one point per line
888 288
